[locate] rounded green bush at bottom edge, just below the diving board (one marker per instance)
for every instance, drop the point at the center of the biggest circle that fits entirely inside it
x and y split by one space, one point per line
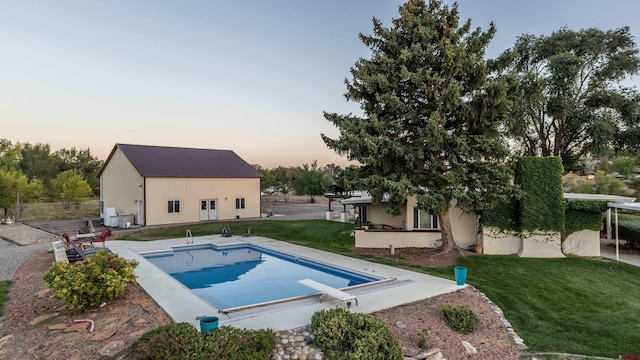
348 336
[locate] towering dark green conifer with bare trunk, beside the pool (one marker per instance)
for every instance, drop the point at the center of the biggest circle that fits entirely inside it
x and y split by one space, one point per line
432 109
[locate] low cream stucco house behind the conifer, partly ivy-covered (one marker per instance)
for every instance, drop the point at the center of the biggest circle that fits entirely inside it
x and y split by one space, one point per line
416 228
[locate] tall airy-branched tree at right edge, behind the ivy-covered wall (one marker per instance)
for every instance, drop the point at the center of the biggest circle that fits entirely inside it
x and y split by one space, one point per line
572 103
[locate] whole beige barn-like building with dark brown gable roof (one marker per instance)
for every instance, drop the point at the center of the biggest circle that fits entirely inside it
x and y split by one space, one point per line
157 185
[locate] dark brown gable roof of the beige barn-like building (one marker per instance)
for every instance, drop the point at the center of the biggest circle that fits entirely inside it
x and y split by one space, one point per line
162 161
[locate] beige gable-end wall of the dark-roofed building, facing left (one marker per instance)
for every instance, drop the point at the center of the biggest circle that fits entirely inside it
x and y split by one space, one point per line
121 186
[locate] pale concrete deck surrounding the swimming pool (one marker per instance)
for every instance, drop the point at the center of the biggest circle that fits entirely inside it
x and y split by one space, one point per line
184 306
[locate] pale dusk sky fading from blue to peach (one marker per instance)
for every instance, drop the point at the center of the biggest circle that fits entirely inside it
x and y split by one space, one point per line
249 76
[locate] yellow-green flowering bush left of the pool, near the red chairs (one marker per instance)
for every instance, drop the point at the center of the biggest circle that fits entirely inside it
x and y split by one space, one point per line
89 283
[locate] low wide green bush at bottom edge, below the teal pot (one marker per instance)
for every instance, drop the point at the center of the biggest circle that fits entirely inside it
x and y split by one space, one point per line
183 341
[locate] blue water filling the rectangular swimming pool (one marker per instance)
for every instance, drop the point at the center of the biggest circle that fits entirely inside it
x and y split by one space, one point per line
241 275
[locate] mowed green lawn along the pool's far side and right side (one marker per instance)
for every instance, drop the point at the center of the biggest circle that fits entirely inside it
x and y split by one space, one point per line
573 305
